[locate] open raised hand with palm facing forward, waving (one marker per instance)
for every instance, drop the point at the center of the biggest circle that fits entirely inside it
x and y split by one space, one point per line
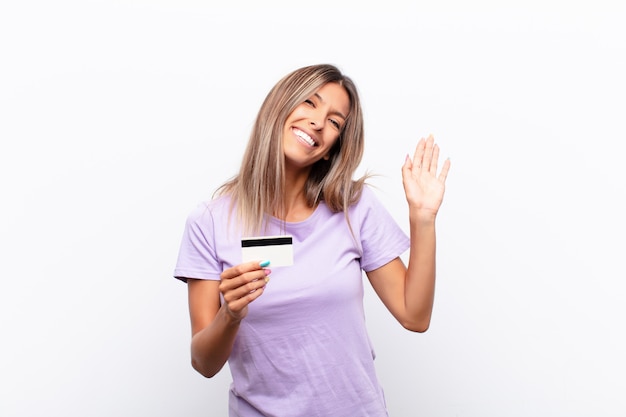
424 189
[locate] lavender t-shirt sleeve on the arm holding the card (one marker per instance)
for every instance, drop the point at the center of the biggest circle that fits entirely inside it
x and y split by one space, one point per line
197 256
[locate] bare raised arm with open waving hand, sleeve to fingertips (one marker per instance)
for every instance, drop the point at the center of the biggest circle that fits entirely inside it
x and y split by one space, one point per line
409 292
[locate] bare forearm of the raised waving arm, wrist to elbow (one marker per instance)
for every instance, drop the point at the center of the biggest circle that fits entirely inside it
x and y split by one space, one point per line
421 272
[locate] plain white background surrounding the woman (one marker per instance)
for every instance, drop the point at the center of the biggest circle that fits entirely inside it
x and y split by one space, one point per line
118 117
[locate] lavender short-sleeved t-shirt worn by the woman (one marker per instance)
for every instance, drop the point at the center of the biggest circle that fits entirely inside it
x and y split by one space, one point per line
303 349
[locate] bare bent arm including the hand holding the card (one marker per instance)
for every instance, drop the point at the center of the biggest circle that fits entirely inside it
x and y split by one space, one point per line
214 326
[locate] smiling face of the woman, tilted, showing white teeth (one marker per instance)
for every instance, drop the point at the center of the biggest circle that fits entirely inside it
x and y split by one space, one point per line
314 126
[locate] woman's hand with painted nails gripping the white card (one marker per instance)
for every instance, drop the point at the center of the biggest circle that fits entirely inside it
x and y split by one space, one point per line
241 285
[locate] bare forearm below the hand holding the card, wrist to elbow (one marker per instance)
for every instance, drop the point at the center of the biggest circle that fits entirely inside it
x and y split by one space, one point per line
211 346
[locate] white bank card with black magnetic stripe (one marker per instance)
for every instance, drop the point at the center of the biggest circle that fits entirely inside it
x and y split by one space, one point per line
276 249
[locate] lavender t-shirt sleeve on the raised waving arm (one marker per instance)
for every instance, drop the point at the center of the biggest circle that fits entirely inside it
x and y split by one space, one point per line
381 238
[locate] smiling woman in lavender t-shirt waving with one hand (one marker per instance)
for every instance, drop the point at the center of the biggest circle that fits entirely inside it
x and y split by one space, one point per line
297 344
